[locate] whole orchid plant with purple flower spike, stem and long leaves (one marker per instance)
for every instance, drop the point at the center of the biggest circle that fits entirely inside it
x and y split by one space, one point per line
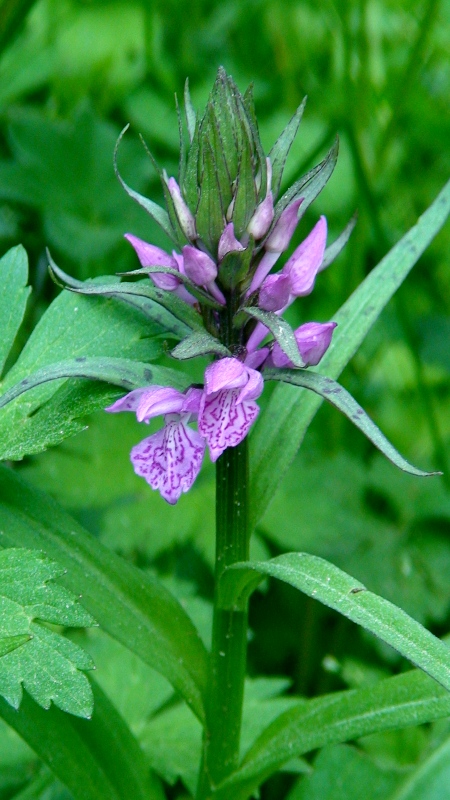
221 292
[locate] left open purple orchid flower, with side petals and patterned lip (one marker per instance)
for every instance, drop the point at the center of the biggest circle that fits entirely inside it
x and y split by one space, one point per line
170 459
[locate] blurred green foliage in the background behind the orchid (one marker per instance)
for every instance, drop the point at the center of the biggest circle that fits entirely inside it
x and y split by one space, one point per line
72 74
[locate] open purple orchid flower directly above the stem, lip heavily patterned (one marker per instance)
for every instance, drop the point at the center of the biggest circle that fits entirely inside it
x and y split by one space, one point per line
227 407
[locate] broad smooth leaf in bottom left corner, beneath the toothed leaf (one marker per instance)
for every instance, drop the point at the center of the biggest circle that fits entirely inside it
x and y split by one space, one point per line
96 760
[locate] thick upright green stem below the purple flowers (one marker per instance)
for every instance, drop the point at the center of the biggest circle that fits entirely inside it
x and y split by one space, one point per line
229 646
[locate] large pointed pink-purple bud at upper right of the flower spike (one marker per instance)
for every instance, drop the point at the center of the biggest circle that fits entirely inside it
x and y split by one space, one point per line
305 261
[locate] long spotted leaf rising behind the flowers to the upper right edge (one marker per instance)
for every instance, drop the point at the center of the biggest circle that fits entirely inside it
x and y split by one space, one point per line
282 427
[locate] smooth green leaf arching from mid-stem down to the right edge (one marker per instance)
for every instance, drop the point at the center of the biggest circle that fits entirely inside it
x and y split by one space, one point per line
334 588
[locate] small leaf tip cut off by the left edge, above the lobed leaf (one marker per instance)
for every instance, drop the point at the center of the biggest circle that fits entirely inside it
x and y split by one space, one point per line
13 297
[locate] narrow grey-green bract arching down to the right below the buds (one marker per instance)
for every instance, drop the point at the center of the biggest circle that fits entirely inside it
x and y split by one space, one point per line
341 399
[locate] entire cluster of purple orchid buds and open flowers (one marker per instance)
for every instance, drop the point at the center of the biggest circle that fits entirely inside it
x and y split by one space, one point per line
225 408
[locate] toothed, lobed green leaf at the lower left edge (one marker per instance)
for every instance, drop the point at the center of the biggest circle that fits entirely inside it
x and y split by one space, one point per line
47 665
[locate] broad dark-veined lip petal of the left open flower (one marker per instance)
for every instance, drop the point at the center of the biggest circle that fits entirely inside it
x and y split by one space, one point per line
170 460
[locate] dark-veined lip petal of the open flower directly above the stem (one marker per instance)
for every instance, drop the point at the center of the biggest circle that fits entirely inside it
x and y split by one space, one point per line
224 422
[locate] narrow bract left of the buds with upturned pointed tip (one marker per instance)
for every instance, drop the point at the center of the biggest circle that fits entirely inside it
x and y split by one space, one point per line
145 289
